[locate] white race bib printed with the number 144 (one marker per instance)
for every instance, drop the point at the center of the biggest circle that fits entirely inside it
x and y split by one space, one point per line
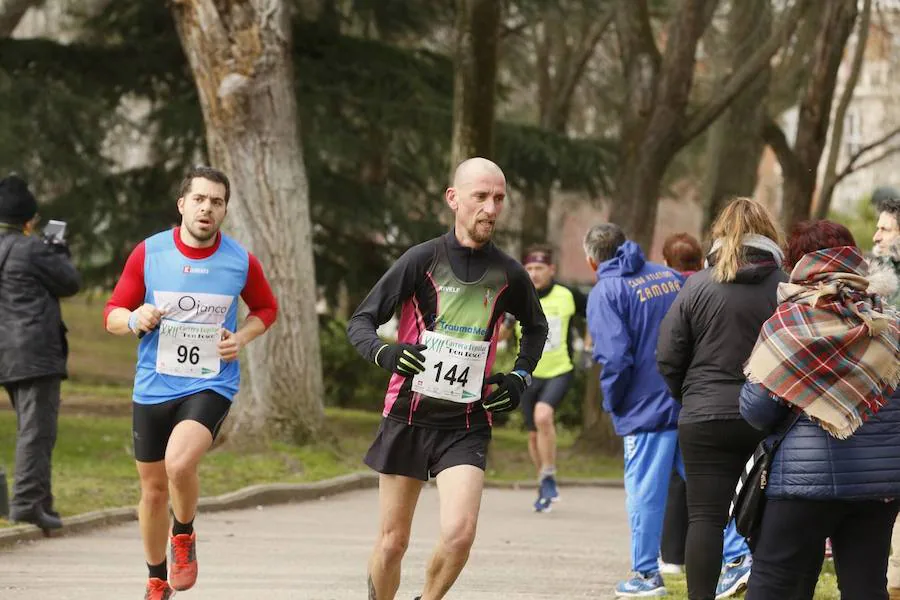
454 368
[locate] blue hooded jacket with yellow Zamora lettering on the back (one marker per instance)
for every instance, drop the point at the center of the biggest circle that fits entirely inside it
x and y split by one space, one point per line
624 312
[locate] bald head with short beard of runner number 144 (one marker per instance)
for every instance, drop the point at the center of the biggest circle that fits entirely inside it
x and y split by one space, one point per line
476 197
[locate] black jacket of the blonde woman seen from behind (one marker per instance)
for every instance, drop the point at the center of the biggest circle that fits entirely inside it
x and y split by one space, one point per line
708 335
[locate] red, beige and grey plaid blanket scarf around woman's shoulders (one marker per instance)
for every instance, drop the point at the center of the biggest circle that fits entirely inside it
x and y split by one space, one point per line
830 349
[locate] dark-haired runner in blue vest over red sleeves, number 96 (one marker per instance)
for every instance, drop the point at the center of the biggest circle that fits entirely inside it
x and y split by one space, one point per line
179 293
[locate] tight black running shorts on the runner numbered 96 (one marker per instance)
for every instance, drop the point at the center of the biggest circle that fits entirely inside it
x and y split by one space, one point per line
152 424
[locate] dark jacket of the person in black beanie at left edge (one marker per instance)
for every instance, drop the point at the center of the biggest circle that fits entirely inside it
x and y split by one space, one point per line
32 333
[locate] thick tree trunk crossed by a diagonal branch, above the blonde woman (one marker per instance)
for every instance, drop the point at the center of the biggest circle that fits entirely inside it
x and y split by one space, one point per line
735 142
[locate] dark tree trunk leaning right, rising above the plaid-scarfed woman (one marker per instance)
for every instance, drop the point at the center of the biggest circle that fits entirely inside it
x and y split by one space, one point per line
815 109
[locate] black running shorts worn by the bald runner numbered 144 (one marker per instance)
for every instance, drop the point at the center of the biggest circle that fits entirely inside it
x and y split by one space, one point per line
420 452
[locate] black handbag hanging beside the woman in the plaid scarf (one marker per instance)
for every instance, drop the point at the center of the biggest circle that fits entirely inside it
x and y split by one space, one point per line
750 493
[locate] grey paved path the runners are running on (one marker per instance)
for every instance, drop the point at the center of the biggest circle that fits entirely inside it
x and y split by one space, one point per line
318 551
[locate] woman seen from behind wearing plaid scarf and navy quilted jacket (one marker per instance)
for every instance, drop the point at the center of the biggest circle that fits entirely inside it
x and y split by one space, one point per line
831 353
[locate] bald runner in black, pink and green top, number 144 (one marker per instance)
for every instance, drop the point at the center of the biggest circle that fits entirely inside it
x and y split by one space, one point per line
452 292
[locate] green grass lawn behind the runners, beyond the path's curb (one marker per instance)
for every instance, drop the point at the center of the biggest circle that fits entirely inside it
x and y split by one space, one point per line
93 466
